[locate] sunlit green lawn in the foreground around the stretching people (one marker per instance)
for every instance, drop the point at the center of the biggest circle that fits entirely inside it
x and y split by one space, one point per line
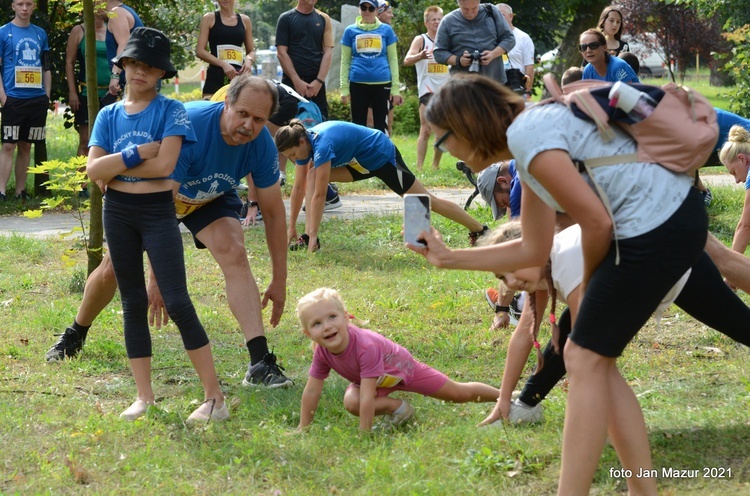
55 417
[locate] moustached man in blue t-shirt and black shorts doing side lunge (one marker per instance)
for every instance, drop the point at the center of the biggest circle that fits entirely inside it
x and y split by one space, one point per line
233 143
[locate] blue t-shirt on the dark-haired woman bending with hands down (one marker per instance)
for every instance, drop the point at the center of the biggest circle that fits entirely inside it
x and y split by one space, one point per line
343 143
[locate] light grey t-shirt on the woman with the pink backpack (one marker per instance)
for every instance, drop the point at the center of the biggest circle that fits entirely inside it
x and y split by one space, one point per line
642 195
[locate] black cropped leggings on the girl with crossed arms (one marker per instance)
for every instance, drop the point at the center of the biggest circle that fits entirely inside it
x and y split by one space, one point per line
134 222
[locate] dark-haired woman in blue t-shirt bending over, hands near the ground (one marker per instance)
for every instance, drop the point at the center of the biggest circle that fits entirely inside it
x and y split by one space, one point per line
343 152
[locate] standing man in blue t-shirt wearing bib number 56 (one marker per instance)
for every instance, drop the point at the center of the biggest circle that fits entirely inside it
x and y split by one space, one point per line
24 93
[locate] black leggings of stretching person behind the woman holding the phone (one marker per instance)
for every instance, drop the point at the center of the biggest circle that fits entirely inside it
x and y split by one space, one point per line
705 297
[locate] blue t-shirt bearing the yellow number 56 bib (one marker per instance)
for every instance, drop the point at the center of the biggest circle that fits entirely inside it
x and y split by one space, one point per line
21 49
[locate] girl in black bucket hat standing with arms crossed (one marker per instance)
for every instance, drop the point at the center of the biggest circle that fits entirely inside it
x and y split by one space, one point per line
135 144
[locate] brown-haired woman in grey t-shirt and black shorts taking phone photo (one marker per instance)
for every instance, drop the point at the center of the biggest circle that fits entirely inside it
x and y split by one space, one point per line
633 253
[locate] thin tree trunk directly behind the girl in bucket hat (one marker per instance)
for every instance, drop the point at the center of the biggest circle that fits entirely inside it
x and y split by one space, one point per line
96 229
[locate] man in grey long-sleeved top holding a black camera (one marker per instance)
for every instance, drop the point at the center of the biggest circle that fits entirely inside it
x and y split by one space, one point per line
473 38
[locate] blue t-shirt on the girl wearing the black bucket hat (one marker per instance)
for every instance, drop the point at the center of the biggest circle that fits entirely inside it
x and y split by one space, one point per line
115 129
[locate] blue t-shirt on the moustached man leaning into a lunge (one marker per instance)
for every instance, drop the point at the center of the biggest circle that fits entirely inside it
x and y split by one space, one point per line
211 167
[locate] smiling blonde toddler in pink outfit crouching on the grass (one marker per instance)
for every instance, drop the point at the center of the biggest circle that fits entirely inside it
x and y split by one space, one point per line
375 365
